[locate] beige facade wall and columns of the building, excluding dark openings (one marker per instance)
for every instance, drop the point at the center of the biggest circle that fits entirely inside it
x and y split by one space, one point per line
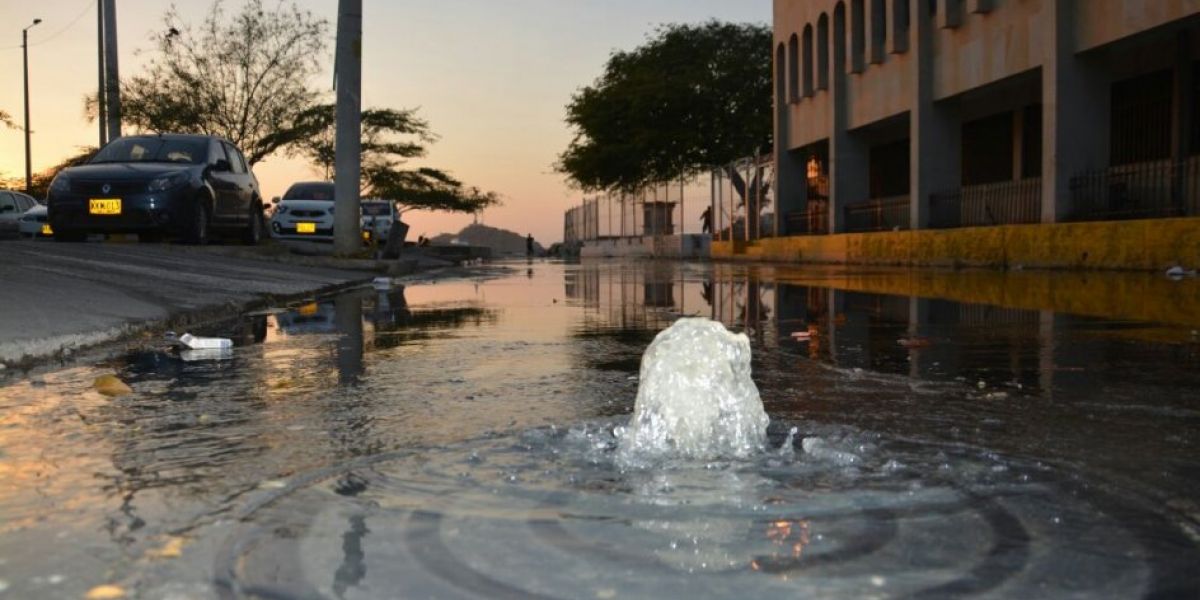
974 59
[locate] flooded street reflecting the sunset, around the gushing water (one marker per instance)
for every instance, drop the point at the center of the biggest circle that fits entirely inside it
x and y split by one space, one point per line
934 435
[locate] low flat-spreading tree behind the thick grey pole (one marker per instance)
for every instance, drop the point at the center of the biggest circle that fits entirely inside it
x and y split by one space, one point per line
391 139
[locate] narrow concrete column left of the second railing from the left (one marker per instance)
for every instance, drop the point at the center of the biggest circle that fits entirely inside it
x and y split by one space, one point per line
848 157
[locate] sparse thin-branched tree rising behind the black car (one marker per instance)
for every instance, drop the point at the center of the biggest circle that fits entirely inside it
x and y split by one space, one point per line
245 77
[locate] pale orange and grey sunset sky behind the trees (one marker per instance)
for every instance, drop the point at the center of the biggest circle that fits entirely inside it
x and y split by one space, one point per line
493 77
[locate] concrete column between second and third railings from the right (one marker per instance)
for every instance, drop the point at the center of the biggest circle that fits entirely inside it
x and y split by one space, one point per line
935 129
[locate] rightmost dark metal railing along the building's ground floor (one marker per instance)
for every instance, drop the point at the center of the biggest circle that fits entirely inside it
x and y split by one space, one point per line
1149 190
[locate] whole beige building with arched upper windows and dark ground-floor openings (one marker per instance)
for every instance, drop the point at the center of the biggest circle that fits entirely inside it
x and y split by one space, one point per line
897 115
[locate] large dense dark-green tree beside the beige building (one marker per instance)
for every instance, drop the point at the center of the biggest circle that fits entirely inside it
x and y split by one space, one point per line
693 99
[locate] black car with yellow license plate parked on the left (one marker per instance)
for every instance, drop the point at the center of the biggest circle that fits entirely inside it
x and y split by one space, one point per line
153 185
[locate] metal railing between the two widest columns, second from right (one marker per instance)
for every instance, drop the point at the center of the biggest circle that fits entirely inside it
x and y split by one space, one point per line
988 205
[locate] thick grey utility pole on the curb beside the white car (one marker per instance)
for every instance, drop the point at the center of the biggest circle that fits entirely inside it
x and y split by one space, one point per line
349 142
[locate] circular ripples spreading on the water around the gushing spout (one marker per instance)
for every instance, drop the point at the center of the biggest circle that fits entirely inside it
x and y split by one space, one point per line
551 514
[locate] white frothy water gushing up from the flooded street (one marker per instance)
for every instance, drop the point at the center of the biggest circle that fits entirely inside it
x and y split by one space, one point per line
695 399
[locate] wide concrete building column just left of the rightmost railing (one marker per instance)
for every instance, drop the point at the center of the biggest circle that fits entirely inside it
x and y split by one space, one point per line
1076 100
